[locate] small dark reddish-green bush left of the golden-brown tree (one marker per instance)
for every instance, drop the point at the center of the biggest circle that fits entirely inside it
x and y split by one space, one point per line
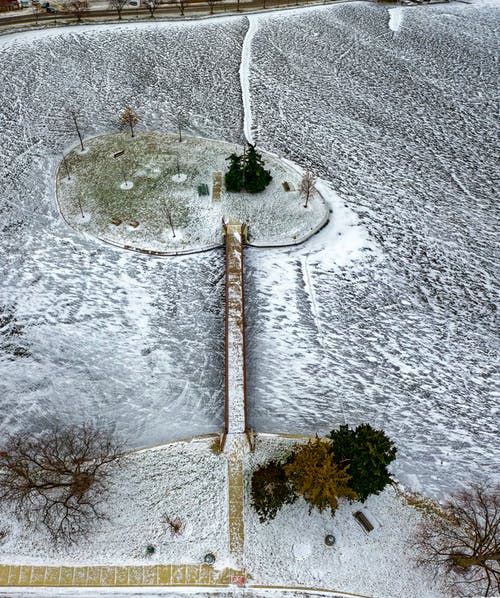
270 490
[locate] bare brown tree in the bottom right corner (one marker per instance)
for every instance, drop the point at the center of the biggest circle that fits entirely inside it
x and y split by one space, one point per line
465 540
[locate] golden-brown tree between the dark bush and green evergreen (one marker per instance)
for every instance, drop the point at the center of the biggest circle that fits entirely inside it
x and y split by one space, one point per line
314 475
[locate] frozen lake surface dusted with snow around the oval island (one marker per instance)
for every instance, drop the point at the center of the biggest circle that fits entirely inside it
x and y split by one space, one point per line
399 333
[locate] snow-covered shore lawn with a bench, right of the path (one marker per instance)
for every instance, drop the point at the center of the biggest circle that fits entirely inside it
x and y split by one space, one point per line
292 546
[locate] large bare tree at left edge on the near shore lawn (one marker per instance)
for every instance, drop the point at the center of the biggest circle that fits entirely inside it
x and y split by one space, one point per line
58 479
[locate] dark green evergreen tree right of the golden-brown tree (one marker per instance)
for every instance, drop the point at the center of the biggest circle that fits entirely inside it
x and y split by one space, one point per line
367 453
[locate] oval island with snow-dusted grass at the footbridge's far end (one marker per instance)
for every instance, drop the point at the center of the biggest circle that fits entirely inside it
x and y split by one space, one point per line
157 215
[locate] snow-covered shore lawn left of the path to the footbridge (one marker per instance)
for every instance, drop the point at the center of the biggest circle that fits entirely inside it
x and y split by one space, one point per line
184 481
